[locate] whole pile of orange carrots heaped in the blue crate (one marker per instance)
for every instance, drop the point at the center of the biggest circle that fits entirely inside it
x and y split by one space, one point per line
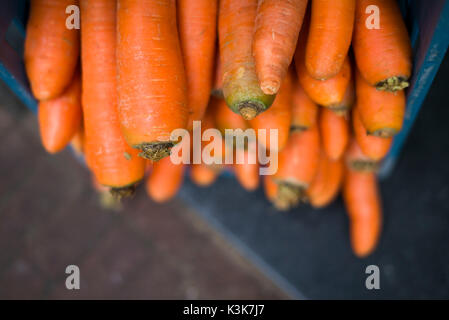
328 75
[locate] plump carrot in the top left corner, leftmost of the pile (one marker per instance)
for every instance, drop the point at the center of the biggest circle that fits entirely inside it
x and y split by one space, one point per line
51 49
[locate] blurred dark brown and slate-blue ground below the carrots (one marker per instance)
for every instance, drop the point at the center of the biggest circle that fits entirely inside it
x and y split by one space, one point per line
220 242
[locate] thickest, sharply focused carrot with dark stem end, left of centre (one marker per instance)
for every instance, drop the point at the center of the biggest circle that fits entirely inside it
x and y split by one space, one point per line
152 88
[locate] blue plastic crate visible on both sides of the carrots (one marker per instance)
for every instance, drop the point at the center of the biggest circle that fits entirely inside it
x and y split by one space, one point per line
428 23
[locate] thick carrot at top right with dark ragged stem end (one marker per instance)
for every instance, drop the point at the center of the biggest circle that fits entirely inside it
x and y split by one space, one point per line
383 55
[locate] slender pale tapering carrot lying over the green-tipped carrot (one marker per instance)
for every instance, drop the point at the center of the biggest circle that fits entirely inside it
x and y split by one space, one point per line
276 33
